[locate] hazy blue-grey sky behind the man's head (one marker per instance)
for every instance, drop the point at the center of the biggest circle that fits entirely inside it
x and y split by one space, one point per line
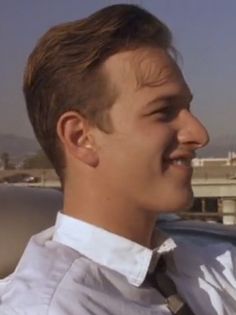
204 33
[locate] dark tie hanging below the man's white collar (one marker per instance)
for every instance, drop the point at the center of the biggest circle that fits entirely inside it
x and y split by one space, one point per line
165 285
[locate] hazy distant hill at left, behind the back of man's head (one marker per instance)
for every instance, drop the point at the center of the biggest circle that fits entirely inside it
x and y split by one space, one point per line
17 146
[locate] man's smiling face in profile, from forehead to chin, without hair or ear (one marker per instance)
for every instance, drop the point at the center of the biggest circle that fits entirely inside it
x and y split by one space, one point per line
146 160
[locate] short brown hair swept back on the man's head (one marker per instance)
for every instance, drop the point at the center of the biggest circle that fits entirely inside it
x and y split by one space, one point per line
64 70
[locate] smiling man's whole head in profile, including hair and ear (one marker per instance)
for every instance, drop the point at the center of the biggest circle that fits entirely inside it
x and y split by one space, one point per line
107 100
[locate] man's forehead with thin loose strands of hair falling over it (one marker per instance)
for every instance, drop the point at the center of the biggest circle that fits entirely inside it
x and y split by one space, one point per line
145 67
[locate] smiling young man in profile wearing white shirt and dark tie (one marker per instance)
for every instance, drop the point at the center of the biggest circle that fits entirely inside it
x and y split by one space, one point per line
110 107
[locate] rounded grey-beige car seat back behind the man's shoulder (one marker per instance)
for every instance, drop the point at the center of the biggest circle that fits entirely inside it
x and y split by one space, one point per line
24 211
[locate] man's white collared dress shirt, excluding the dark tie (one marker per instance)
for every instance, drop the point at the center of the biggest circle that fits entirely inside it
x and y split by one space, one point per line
76 268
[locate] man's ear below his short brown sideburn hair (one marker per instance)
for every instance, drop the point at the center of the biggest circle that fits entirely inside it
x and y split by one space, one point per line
74 133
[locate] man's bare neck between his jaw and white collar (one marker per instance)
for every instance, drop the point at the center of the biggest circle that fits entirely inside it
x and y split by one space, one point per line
114 216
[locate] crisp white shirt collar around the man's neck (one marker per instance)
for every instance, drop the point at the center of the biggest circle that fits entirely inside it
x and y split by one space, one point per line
110 250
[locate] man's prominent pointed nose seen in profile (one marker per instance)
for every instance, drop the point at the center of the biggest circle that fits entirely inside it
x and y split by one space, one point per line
192 131
